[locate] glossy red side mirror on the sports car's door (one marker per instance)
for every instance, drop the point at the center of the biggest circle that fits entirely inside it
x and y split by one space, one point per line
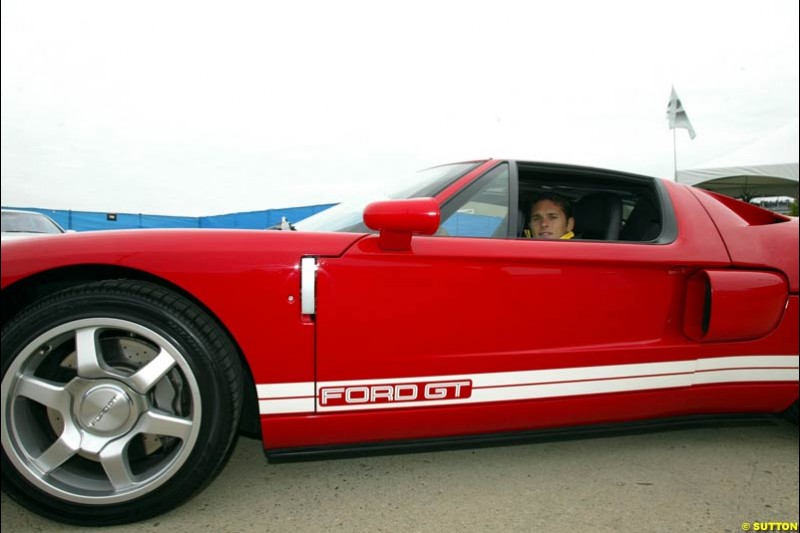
398 220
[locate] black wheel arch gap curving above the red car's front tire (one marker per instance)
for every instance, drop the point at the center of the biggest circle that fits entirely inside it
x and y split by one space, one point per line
20 294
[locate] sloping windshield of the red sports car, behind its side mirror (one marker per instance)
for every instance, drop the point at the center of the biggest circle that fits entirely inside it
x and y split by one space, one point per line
347 216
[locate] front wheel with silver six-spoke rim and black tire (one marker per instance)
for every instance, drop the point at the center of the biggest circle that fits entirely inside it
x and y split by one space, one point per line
120 400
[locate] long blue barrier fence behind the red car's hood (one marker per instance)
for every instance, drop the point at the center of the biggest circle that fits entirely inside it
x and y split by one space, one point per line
91 221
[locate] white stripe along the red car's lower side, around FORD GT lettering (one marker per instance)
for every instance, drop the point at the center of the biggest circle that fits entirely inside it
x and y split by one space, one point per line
526 385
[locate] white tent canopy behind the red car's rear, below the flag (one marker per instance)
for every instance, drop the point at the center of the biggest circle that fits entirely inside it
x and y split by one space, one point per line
767 167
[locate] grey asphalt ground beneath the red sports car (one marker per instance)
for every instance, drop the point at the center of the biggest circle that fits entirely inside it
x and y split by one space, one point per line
719 479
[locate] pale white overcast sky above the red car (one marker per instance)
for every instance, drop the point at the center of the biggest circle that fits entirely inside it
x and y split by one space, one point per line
199 108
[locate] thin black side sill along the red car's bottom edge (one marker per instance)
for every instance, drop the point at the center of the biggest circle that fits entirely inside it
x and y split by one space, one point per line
314 453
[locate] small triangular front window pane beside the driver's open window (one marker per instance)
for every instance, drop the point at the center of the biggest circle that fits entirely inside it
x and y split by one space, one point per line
482 209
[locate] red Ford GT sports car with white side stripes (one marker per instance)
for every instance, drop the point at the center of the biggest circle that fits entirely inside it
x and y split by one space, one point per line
132 359
